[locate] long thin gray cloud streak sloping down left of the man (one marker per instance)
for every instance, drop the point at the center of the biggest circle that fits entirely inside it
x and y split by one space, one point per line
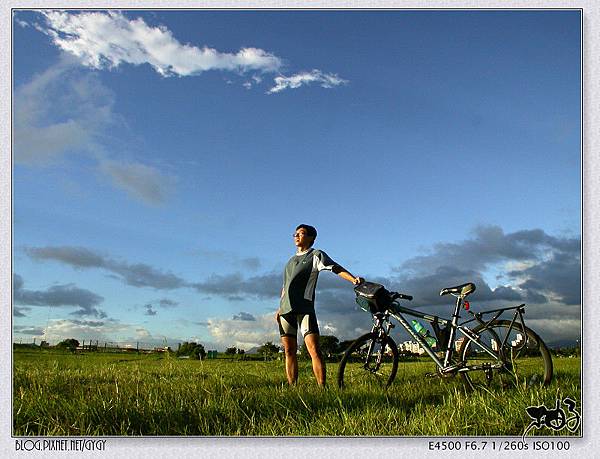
134 274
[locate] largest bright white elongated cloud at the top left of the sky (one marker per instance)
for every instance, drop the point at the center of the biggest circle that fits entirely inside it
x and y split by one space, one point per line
101 40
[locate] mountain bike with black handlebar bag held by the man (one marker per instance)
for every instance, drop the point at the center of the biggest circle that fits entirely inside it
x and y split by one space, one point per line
486 351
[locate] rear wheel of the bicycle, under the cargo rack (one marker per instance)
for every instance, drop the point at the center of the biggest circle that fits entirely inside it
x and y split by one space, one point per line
524 358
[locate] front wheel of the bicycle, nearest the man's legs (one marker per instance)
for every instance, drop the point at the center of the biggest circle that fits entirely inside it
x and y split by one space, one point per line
370 361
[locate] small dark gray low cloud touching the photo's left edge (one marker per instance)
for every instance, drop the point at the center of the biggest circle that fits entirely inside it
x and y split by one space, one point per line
58 296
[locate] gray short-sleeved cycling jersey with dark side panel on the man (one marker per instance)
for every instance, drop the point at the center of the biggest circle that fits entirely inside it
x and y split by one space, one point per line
300 280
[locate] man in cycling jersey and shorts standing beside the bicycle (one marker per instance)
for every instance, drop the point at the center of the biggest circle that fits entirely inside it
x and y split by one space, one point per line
297 305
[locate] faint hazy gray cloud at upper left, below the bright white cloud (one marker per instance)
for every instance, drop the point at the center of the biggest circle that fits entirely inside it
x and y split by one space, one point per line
63 111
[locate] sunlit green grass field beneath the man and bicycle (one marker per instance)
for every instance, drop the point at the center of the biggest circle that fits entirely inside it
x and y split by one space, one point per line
127 394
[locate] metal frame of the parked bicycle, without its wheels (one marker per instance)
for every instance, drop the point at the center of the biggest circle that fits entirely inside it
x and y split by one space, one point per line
445 365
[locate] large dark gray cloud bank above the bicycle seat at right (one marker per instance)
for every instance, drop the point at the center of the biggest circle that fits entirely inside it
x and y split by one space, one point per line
535 267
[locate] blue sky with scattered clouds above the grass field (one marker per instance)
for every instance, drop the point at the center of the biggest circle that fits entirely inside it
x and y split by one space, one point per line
162 159
